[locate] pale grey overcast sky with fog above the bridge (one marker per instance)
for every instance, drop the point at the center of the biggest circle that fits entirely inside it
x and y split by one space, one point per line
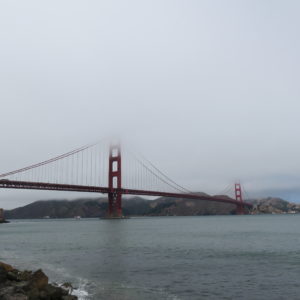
207 90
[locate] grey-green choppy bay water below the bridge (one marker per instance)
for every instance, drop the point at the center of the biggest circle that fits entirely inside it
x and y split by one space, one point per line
209 257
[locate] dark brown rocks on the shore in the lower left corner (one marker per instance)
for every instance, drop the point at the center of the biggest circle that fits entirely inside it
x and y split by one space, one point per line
28 285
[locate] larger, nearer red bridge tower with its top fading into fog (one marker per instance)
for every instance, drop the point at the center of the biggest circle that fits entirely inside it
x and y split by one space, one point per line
115 182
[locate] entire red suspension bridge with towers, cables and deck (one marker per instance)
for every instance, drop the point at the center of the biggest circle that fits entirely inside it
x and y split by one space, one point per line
105 168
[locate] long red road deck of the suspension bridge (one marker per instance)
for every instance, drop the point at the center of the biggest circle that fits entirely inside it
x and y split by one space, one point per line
12 184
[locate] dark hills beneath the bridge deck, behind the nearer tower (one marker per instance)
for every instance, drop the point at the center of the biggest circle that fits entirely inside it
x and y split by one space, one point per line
97 207
